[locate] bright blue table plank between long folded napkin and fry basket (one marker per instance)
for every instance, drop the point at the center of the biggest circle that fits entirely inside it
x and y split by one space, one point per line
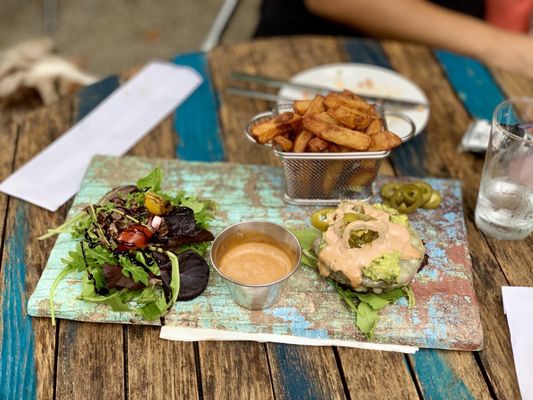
196 119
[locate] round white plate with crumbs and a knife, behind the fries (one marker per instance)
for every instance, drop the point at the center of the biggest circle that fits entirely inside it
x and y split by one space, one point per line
365 79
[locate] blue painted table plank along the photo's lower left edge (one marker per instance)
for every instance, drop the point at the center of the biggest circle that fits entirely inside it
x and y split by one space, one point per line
17 356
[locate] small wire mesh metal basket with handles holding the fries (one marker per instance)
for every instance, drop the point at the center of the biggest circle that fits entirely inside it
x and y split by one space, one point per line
325 178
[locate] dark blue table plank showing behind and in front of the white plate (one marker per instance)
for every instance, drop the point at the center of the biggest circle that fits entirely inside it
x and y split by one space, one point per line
408 158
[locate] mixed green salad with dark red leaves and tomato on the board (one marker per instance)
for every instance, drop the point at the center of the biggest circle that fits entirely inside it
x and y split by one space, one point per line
139 249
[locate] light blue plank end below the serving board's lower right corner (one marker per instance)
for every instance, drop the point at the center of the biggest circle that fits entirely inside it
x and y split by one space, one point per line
437 380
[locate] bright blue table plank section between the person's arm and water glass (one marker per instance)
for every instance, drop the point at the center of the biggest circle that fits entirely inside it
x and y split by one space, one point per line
472 82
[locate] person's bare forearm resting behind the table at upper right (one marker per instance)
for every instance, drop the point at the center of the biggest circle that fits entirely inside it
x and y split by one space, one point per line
422 22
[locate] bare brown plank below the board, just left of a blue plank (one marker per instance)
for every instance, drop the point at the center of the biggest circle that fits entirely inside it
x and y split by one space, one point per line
366 376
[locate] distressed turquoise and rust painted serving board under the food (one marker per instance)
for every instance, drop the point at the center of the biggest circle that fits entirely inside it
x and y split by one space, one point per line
446 314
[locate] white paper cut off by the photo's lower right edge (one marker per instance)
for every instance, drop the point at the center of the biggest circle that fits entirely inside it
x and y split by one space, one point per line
518 305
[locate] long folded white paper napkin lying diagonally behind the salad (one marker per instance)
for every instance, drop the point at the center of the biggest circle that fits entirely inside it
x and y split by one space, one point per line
55 174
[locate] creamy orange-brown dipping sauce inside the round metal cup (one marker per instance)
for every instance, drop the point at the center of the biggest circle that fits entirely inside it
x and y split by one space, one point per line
254 258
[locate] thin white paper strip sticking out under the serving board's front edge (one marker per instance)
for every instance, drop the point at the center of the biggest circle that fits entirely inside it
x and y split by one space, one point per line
202 334
